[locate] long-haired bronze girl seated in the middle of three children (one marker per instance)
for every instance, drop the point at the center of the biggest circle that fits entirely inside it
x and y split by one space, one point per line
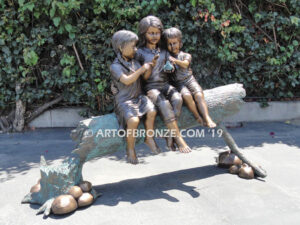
161 93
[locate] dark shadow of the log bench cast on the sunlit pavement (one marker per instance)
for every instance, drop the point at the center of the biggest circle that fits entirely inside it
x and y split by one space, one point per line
154 187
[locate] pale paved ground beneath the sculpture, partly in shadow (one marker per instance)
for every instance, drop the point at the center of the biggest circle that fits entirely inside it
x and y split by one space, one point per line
170 188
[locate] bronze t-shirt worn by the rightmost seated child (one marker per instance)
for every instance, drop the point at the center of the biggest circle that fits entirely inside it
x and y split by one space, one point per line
182 73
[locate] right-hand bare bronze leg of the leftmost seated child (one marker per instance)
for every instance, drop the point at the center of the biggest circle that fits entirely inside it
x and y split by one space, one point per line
149 125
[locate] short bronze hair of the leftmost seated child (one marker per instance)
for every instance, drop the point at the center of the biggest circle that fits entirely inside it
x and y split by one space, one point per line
121 38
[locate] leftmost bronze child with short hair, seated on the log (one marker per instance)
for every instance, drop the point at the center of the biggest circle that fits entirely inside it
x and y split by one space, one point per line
130 103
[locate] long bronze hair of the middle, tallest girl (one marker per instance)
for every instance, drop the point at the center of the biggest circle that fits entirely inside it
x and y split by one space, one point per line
145 23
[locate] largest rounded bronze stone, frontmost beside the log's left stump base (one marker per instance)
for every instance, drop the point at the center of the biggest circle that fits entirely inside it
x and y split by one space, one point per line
64 204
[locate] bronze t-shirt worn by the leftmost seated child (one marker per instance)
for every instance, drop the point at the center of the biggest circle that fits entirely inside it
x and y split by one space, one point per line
125 92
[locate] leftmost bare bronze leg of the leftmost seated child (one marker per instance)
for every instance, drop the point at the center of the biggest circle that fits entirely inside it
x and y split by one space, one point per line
132 125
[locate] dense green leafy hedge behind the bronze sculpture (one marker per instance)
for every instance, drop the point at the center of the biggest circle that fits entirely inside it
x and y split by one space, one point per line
252 42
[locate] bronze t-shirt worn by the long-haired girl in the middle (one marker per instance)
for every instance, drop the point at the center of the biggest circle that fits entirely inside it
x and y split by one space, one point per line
158 77
